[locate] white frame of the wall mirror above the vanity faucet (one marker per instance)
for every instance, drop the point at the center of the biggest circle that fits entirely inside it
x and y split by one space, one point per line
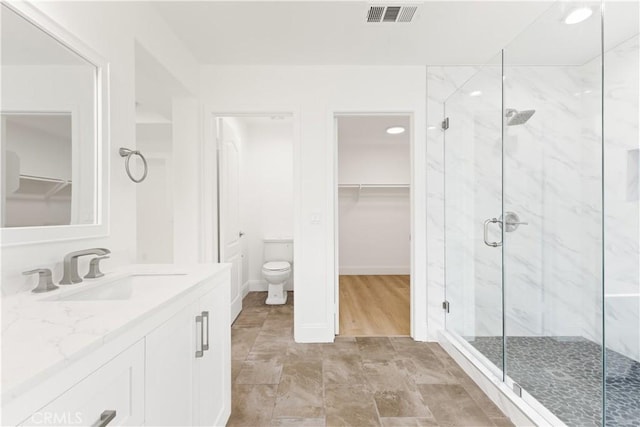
16 236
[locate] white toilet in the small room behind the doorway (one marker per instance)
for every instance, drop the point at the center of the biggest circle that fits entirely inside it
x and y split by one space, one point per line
276 270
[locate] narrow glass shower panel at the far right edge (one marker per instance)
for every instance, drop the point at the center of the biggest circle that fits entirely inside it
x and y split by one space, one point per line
622 213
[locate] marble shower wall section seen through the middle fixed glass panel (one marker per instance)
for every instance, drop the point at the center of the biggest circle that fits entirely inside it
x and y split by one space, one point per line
552 175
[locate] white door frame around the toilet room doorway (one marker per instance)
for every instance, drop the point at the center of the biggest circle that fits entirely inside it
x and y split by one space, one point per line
210 219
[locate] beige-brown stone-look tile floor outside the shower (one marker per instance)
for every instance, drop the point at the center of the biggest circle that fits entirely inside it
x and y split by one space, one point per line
372 381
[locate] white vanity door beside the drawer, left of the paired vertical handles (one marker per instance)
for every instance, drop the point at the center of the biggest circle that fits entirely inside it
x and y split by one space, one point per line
170 354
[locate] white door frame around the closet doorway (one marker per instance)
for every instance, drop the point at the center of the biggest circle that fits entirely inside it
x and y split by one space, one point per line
416 289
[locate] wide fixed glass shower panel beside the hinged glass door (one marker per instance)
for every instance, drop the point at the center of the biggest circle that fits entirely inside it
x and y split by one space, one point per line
553 213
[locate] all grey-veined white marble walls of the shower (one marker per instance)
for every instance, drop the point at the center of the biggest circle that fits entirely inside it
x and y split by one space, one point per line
552 179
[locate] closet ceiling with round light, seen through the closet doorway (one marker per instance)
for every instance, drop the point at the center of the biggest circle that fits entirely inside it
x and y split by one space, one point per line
357 130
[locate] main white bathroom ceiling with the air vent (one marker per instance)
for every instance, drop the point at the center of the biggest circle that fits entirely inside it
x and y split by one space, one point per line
335 33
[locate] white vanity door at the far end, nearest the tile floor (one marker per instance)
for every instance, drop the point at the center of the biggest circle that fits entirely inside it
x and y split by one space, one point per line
213 370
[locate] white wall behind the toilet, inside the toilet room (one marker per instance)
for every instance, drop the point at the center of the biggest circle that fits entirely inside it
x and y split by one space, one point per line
266 196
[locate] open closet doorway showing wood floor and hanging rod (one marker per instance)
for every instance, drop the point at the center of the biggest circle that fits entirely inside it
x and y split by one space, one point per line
373 224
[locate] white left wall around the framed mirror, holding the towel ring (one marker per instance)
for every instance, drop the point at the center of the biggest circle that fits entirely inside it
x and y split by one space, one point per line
95 24
